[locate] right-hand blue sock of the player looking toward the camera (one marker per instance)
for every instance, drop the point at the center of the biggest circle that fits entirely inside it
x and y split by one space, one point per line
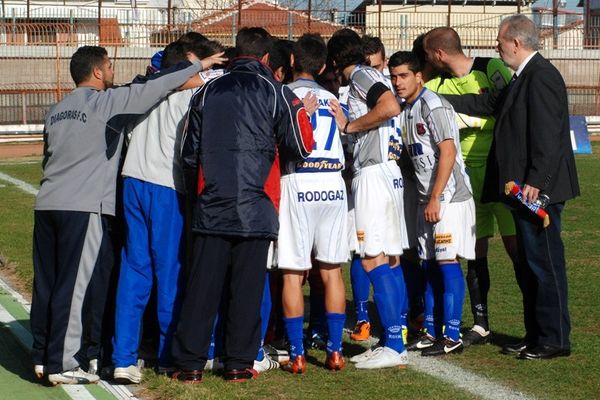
454 296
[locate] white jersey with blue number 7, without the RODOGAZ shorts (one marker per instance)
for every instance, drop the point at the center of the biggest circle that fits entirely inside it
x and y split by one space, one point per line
327 154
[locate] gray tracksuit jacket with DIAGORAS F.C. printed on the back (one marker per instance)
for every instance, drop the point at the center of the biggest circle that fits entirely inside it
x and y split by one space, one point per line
83 137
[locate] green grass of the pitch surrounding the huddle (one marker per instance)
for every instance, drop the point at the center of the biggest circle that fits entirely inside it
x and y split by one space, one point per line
576 377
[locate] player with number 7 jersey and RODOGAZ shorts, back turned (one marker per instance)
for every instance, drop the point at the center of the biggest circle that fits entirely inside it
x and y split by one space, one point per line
313 214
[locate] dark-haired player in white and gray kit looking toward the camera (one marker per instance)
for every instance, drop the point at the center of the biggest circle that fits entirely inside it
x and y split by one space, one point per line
446 215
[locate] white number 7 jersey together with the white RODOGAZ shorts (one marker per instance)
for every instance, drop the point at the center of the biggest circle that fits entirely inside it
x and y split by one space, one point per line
313 209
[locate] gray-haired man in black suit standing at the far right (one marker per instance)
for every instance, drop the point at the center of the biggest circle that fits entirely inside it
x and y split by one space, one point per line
532 147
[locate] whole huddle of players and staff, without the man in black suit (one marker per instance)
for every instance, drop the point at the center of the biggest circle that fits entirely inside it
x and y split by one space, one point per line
245 171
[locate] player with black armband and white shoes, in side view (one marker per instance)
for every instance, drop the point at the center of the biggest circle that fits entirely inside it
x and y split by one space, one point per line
376 187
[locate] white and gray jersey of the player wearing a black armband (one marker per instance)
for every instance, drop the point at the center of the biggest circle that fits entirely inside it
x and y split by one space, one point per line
380 144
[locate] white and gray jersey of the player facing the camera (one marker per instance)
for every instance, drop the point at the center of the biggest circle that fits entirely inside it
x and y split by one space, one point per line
426 122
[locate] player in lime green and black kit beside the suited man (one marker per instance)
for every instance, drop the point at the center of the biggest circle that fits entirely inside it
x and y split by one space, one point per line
462 75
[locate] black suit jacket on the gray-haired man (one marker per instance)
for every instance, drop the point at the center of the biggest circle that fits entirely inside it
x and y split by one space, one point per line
532 143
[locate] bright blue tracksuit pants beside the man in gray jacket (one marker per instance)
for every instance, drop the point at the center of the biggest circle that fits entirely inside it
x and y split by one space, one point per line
152 254
